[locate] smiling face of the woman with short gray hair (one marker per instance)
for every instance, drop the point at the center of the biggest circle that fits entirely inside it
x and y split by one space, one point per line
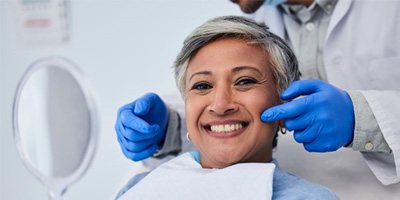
228 84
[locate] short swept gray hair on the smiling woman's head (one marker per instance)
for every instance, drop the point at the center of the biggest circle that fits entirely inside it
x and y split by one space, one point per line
282 59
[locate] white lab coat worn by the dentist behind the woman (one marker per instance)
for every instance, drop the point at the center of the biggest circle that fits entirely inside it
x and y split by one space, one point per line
362 52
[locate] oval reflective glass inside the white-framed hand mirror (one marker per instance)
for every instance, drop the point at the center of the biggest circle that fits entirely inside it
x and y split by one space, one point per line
54 122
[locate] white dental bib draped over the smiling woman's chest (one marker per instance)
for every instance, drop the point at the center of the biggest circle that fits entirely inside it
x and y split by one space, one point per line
184 178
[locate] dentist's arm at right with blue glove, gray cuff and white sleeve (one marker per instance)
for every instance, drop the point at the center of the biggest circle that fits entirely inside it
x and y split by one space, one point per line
324 120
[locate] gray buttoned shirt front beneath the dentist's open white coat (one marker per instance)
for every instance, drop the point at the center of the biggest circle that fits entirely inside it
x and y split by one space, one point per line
306 29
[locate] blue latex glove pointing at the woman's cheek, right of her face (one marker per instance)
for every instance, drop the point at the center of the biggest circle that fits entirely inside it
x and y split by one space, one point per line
323 120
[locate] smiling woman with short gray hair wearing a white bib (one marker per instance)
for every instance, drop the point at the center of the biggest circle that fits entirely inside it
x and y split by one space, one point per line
229 70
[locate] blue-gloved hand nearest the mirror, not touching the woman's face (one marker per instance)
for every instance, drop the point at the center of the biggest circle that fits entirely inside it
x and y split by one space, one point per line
141 126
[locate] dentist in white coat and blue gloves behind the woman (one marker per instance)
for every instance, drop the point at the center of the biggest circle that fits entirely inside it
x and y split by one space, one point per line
351 46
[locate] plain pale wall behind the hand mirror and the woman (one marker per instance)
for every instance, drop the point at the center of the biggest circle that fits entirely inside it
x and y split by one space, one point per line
126 49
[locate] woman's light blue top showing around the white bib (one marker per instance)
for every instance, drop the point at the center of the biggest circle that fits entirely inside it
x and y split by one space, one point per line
285 186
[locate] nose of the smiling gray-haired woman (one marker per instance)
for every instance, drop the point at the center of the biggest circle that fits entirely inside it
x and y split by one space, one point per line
223 103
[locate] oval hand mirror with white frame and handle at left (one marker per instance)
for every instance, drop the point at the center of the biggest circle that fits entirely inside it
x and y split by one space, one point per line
55 123
